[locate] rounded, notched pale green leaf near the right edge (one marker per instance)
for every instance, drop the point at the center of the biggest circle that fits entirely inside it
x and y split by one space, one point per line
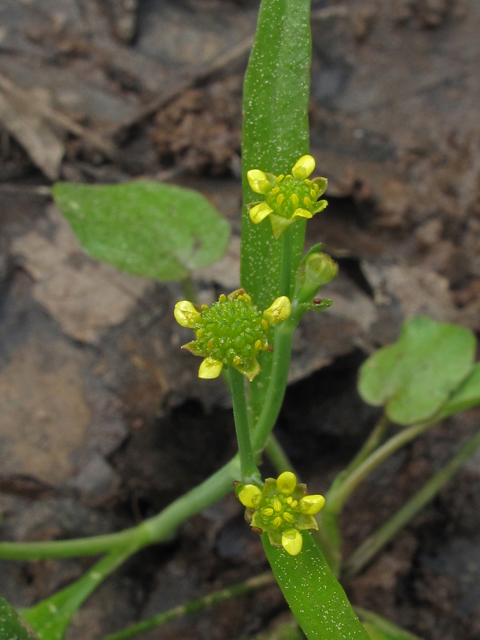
417 374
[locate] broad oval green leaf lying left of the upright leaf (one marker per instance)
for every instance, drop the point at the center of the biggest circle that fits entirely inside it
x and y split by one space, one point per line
148 229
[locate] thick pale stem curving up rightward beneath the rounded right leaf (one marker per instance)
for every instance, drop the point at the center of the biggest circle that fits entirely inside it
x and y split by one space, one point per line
337 495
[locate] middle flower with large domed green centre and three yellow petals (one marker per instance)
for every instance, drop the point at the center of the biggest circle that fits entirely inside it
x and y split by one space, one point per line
231 332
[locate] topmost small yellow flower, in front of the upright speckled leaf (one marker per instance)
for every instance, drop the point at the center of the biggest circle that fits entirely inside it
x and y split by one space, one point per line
284 194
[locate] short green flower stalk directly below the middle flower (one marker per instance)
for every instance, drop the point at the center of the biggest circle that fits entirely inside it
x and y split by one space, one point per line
250 472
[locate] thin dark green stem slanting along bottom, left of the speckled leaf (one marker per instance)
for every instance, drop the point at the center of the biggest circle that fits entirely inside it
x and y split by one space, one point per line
253 584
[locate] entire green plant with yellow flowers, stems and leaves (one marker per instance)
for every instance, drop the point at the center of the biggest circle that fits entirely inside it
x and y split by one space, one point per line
165 232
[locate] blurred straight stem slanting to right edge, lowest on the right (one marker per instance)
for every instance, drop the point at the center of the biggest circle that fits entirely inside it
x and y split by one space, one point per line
386 532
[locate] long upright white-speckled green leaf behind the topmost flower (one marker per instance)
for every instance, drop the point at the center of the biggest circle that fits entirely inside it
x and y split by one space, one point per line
275 136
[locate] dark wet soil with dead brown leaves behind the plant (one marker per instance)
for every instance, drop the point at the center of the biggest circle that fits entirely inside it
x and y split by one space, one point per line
103 420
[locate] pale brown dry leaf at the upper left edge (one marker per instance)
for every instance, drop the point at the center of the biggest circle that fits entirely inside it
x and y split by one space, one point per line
44 145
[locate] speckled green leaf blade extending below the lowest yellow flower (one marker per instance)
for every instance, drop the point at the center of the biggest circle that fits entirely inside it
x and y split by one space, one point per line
314 595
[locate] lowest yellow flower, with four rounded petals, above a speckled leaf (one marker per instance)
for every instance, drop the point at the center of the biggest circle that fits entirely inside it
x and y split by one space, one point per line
282 509
